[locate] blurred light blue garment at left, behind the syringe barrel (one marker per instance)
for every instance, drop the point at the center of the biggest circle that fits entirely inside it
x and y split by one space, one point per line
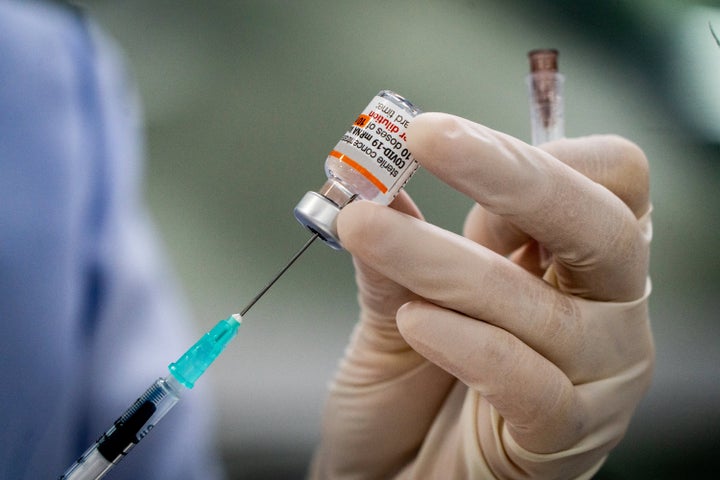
89 315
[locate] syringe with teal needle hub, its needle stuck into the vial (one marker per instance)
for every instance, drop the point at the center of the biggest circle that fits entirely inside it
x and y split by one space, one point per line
161 396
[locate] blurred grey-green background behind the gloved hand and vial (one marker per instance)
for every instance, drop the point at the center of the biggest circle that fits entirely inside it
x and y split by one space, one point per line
243 100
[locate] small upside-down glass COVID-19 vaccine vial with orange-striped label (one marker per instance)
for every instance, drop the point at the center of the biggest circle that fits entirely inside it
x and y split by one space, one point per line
370 162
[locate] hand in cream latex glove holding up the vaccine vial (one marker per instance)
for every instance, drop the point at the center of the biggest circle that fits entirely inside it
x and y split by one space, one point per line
488 356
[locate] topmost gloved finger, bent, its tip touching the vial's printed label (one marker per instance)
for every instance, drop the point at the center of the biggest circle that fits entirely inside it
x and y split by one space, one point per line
598 247
